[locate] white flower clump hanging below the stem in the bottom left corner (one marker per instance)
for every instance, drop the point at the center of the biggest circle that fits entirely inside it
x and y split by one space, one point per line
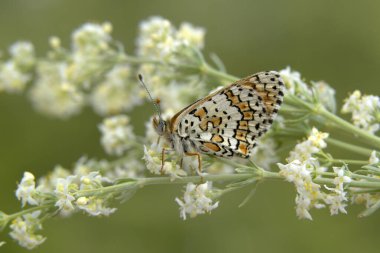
23 230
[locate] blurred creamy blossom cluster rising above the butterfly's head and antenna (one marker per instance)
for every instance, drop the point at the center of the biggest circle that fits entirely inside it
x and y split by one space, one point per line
159 40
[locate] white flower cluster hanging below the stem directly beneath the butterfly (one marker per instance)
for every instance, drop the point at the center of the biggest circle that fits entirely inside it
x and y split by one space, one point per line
197 200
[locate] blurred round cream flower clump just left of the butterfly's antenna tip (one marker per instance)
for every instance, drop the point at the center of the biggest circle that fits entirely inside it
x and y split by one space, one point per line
117 93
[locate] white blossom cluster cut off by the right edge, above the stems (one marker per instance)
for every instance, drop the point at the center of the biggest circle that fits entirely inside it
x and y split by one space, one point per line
365 110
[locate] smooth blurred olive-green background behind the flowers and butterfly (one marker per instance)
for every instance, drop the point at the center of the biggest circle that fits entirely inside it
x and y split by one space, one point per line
337 41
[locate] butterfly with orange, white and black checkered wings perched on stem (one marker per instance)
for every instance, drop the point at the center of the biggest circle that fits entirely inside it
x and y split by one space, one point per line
227 122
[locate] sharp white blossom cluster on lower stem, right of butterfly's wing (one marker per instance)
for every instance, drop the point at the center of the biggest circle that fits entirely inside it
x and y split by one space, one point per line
301 170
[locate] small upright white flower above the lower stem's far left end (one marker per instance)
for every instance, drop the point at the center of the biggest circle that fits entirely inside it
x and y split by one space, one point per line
26 190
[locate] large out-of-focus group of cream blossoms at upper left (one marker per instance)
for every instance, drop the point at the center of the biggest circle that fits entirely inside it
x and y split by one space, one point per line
91 72
